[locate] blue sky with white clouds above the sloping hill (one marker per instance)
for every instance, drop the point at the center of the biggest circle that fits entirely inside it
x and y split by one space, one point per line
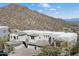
58 10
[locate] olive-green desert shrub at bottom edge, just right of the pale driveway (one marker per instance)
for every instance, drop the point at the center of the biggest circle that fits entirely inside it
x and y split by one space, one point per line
49 51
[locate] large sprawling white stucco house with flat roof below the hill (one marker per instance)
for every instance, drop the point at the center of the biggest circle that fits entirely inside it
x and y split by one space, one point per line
40 38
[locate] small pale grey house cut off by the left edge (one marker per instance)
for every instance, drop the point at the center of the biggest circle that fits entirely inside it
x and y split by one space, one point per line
4 32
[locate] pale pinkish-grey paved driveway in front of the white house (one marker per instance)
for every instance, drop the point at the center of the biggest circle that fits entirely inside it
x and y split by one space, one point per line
22 51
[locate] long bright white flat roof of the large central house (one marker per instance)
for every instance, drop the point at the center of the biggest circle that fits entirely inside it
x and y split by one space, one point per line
37 33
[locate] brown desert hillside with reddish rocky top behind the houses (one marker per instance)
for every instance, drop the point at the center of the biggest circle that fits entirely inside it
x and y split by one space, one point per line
20 17
